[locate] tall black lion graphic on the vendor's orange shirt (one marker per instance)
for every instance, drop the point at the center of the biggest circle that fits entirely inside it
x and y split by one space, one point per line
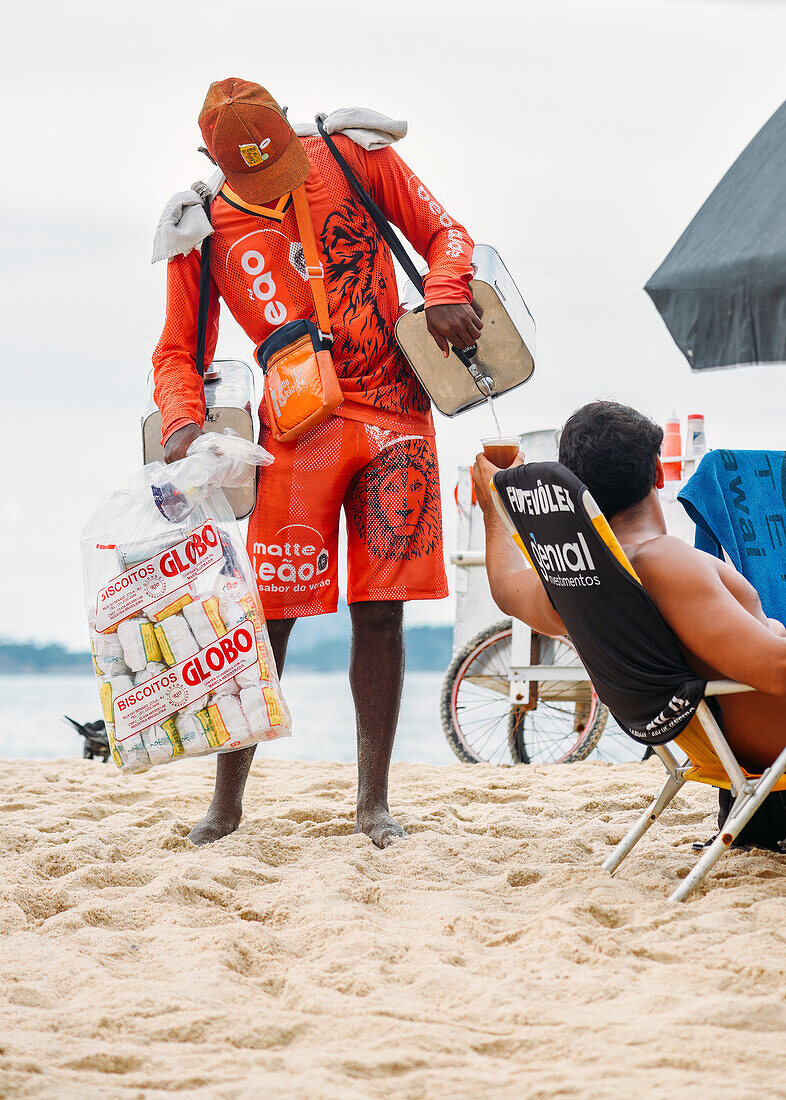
352 247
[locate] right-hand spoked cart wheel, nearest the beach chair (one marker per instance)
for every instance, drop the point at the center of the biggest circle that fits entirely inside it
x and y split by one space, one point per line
564 719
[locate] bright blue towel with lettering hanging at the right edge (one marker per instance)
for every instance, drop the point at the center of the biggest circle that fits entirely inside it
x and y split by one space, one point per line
738 502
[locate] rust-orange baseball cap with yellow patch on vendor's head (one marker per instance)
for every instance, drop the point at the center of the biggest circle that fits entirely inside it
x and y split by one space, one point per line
250 139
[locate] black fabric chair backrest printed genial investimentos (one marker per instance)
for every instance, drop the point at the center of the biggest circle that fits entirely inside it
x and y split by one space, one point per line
632 655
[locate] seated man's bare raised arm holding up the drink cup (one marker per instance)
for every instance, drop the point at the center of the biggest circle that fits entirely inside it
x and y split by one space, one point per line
516 588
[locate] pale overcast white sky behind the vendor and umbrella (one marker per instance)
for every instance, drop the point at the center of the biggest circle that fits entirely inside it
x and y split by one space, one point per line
578 138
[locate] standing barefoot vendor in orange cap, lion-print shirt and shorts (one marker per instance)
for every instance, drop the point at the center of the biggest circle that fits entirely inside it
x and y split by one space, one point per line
375 455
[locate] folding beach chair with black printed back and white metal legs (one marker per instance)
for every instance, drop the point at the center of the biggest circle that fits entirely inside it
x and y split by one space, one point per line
632 655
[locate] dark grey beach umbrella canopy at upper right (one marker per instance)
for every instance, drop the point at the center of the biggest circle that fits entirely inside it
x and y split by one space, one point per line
722 290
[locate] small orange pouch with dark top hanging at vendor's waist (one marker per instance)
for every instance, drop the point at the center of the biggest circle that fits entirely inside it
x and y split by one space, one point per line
302 387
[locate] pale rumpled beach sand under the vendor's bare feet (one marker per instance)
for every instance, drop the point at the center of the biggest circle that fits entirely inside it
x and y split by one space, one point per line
488 956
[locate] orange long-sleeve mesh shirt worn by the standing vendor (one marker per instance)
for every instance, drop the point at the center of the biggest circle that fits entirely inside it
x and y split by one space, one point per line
258 269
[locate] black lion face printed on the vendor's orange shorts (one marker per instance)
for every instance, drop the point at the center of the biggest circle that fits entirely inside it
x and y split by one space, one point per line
396 505
